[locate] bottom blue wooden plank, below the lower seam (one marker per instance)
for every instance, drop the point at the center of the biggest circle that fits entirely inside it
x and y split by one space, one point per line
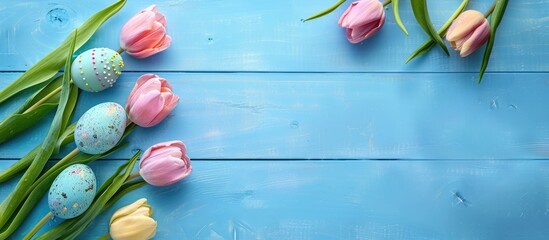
342 200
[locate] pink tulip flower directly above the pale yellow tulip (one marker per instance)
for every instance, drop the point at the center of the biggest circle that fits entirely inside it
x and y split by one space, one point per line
165 163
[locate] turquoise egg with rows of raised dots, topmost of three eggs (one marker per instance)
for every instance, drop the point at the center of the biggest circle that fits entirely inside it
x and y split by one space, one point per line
96 69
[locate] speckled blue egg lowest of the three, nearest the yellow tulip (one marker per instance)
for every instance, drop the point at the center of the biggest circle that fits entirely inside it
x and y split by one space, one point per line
72 191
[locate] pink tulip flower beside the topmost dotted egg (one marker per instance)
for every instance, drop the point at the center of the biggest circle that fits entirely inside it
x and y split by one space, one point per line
145 33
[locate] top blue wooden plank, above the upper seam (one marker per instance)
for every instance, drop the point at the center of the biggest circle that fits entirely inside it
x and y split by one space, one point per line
241 36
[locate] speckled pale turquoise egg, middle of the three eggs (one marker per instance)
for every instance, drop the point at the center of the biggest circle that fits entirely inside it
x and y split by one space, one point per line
100 128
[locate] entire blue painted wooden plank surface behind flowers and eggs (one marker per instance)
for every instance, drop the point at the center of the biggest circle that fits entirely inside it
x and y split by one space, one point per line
285 122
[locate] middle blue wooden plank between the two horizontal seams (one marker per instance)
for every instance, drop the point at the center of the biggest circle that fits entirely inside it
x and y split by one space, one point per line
341 116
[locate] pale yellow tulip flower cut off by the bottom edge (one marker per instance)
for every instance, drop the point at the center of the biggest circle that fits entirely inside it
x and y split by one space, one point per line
133 222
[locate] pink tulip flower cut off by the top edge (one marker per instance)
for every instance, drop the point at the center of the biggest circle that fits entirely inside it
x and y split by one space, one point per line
362 19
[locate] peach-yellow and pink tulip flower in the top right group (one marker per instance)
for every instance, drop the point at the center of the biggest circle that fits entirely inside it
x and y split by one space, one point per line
468 32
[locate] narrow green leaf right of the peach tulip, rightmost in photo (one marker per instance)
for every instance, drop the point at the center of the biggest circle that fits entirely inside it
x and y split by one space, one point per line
495 20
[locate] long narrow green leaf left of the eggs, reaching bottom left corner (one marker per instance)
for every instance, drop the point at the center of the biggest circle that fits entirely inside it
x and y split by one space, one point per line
46 150
